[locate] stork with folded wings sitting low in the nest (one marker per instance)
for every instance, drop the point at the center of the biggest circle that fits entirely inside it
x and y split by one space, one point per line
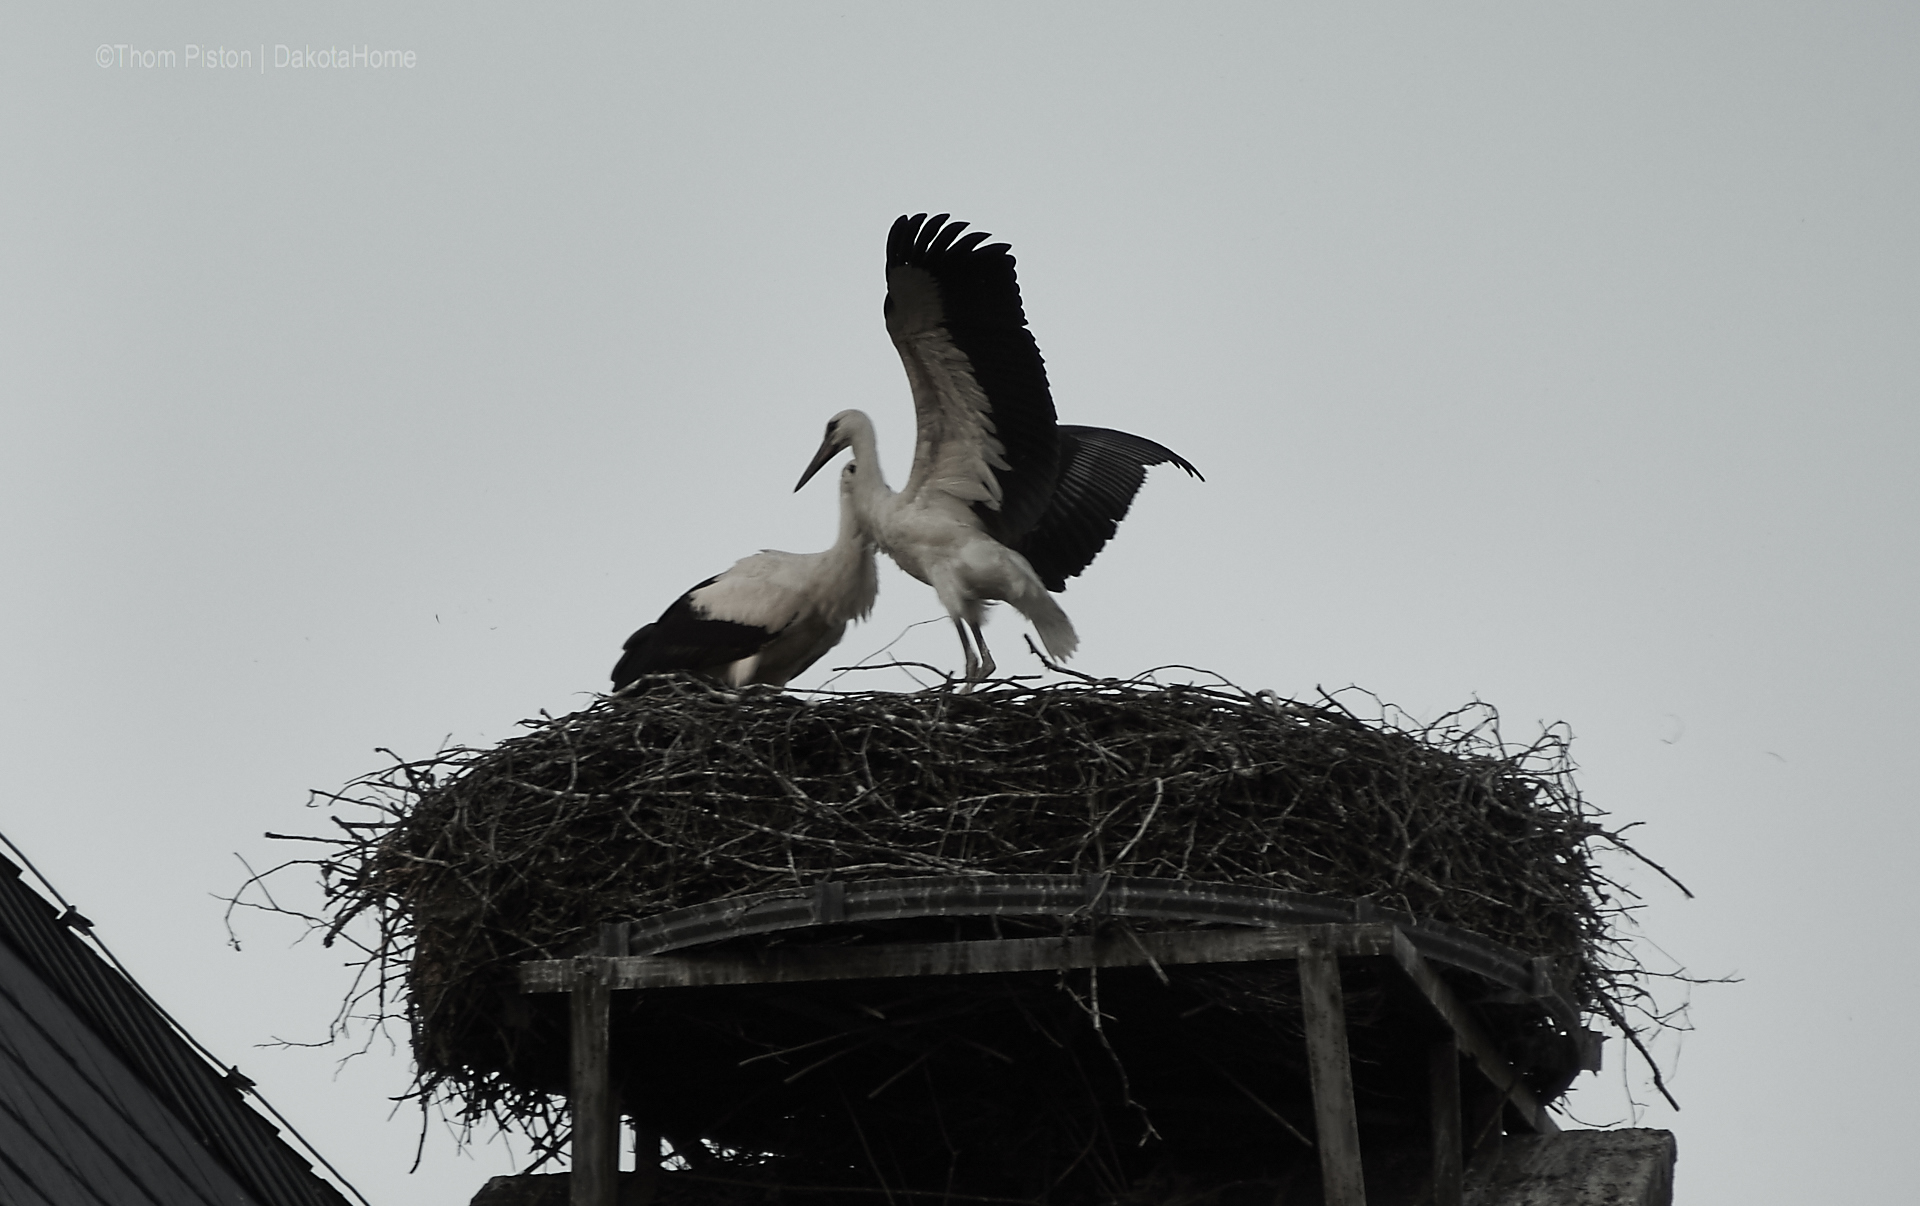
765 619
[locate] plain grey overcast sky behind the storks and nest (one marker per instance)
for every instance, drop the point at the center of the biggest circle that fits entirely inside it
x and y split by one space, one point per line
1556 356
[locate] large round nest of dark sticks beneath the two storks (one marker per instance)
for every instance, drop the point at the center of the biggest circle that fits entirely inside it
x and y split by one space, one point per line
479 859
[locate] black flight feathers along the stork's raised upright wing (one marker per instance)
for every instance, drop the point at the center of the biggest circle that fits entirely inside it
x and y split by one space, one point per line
982 312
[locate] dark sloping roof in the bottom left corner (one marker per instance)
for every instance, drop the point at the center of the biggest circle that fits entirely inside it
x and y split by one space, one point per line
105 1101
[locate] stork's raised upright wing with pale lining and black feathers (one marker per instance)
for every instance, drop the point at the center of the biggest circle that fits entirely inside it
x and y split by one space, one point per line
986 420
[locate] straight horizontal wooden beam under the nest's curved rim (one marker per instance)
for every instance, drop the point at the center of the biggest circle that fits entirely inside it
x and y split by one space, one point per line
792 965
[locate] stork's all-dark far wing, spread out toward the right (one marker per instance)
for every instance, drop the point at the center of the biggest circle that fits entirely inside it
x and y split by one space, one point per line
1101 471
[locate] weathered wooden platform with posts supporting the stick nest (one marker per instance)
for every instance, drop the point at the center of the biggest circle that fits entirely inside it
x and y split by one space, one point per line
1216 927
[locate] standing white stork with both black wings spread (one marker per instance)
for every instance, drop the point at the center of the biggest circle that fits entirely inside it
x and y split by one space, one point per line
1003 502
